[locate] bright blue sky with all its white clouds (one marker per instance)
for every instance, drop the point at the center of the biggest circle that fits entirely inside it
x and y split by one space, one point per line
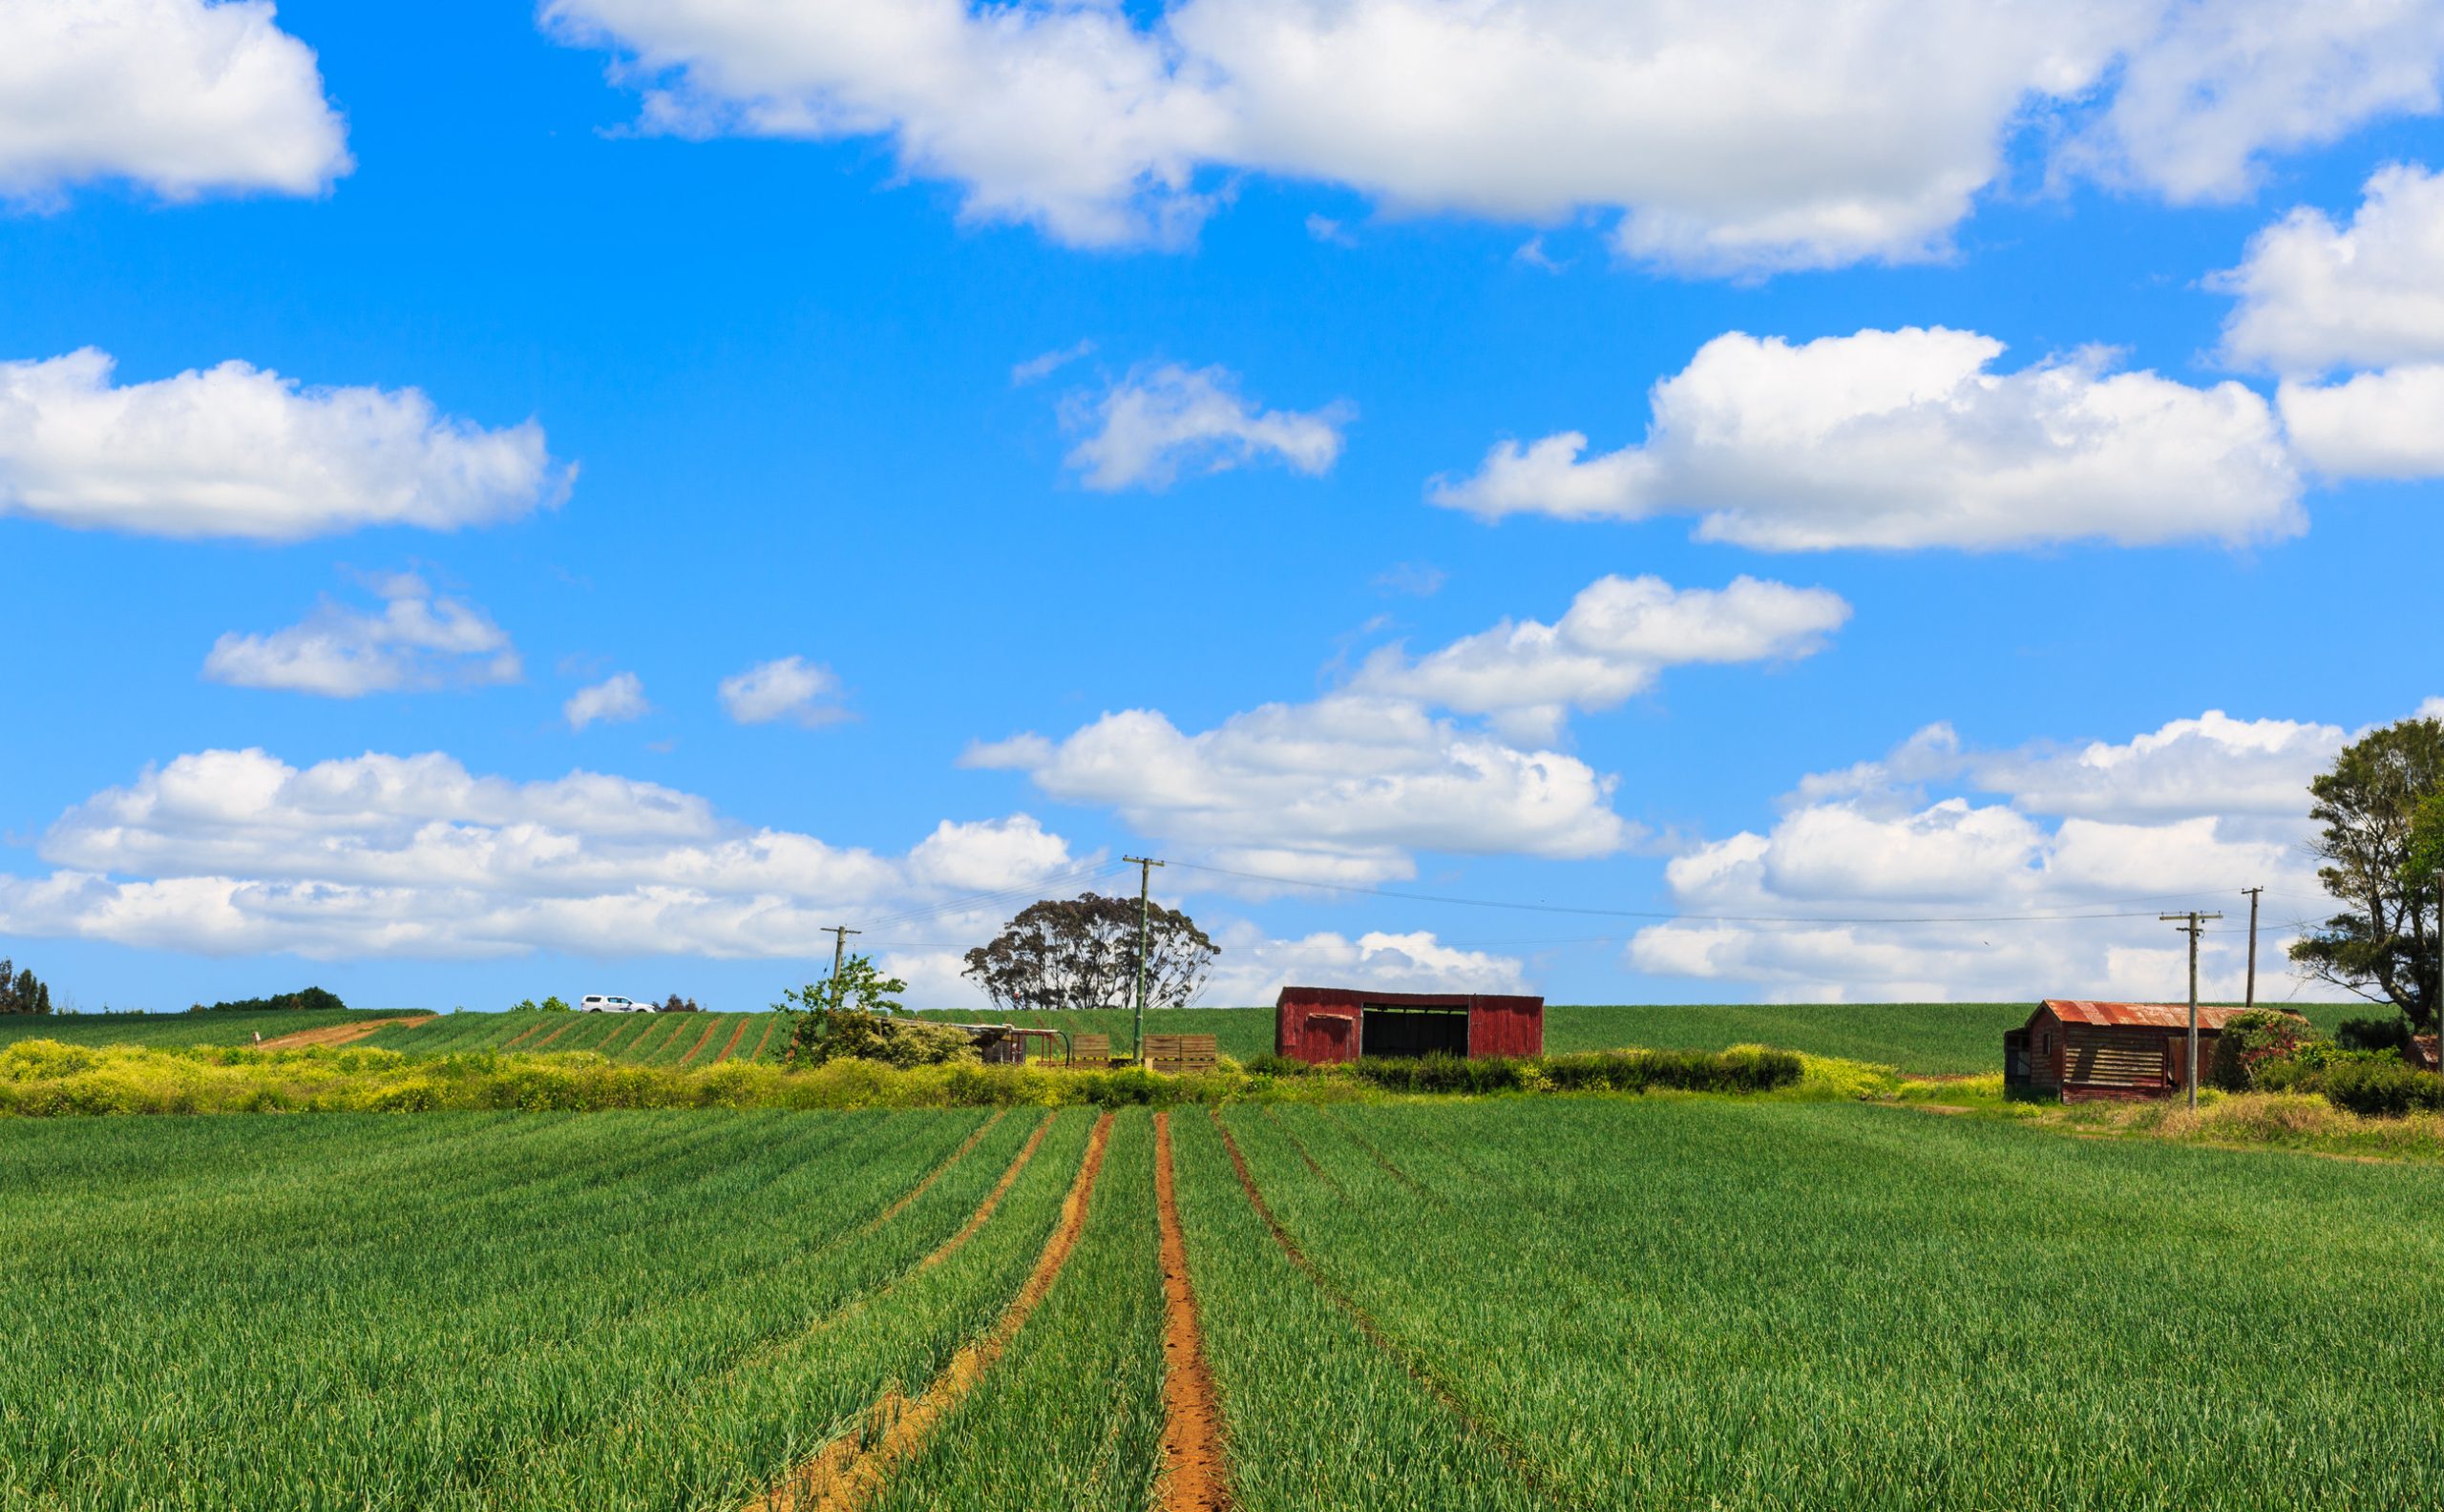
769 289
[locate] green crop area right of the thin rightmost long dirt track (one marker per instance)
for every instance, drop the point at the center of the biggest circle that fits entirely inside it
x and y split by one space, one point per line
1798 1306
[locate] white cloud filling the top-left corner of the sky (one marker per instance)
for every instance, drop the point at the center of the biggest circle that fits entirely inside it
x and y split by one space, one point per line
180 96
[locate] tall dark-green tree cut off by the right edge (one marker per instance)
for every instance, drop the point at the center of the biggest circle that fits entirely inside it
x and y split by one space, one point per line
2382 846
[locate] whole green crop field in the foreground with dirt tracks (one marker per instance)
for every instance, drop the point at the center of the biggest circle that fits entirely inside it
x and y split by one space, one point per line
1521 1303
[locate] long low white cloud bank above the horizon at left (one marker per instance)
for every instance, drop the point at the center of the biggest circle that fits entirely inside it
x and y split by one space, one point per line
414 856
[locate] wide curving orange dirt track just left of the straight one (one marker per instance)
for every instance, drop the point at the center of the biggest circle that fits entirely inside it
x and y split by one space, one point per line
857 1464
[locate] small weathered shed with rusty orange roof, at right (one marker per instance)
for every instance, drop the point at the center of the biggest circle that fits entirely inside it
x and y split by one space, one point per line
2081 1052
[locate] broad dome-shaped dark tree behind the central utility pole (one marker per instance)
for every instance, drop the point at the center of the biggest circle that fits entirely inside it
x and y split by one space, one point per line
1081 954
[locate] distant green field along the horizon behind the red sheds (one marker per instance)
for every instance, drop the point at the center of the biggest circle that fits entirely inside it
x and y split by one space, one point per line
1920 1039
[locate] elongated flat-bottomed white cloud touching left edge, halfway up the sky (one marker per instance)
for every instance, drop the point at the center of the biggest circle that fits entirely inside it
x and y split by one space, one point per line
246 453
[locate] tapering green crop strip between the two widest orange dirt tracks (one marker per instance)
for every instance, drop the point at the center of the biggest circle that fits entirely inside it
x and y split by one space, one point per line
1074 1413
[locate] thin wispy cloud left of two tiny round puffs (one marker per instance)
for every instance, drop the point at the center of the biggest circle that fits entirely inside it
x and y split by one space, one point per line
417 641
